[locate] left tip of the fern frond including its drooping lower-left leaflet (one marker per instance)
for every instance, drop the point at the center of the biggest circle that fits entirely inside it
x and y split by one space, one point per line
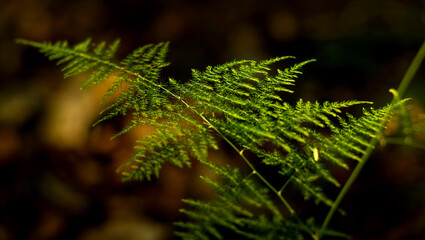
144 97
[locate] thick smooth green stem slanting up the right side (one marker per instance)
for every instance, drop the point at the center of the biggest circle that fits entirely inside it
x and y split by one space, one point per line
401 92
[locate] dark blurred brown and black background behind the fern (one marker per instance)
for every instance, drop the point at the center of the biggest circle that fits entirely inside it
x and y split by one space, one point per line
57 173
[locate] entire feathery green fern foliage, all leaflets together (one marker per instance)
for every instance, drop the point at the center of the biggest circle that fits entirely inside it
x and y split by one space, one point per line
242 103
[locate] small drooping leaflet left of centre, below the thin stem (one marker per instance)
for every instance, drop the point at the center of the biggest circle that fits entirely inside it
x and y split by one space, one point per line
171 144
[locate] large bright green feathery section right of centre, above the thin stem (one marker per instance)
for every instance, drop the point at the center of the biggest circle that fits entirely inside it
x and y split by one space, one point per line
245 101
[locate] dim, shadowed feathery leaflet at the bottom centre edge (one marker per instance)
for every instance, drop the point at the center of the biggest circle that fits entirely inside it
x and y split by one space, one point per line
236 210
